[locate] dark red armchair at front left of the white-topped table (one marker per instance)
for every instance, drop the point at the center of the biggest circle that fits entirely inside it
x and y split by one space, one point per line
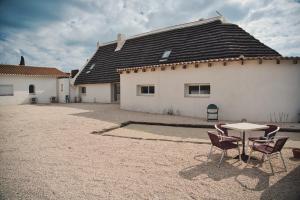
221 144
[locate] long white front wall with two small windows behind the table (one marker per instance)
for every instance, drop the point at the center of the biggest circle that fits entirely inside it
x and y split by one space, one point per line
252 91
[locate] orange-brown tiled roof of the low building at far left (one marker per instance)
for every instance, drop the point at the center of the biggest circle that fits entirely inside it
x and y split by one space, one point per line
30 70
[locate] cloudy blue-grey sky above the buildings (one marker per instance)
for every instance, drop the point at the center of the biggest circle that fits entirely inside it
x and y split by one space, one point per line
64 34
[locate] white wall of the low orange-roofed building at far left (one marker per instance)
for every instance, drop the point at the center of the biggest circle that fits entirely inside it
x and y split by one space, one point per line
45 87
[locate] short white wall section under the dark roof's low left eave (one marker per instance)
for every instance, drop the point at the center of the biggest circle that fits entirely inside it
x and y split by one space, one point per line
96 93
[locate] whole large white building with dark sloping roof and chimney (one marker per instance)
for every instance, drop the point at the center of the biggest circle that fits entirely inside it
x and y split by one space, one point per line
182 69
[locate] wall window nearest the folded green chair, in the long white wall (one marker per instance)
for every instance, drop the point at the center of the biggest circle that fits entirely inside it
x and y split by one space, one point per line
201 90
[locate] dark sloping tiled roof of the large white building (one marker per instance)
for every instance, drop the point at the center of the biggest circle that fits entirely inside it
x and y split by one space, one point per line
200 42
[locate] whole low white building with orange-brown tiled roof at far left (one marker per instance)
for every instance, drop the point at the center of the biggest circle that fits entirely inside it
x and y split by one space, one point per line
22 84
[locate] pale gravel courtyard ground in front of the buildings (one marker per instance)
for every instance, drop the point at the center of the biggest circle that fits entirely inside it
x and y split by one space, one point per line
48 152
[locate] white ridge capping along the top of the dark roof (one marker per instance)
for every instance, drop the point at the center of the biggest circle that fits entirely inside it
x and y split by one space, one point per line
170 28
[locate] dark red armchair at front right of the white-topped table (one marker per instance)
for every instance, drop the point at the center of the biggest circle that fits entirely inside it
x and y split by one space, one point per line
267 150
